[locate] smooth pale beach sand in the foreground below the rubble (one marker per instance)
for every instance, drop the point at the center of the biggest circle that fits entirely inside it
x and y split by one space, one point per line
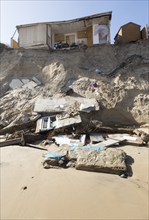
28 191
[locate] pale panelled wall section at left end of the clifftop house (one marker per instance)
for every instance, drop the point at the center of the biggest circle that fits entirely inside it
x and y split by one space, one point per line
33 35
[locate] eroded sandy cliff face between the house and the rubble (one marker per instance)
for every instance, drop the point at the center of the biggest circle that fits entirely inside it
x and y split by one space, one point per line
117 76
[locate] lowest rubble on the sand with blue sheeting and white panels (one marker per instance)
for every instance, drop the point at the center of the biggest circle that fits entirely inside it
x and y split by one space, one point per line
104 156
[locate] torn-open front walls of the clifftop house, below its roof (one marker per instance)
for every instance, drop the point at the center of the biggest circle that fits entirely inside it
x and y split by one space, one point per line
80 31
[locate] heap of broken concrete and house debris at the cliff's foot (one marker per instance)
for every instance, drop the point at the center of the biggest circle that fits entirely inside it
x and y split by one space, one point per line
90 151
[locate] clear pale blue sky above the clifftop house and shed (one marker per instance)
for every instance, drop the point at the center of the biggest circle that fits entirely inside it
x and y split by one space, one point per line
17 12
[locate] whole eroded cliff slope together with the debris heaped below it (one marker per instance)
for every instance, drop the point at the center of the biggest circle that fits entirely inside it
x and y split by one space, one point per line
72 109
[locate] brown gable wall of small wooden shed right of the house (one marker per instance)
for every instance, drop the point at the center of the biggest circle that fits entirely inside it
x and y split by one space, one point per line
129 33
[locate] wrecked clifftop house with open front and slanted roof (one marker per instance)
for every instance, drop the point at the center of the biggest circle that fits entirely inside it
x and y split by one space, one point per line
89 30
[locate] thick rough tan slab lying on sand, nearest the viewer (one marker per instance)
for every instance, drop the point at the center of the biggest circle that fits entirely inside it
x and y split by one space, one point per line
110 160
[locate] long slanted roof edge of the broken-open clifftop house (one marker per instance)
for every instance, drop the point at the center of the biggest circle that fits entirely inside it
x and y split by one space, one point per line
86 18
